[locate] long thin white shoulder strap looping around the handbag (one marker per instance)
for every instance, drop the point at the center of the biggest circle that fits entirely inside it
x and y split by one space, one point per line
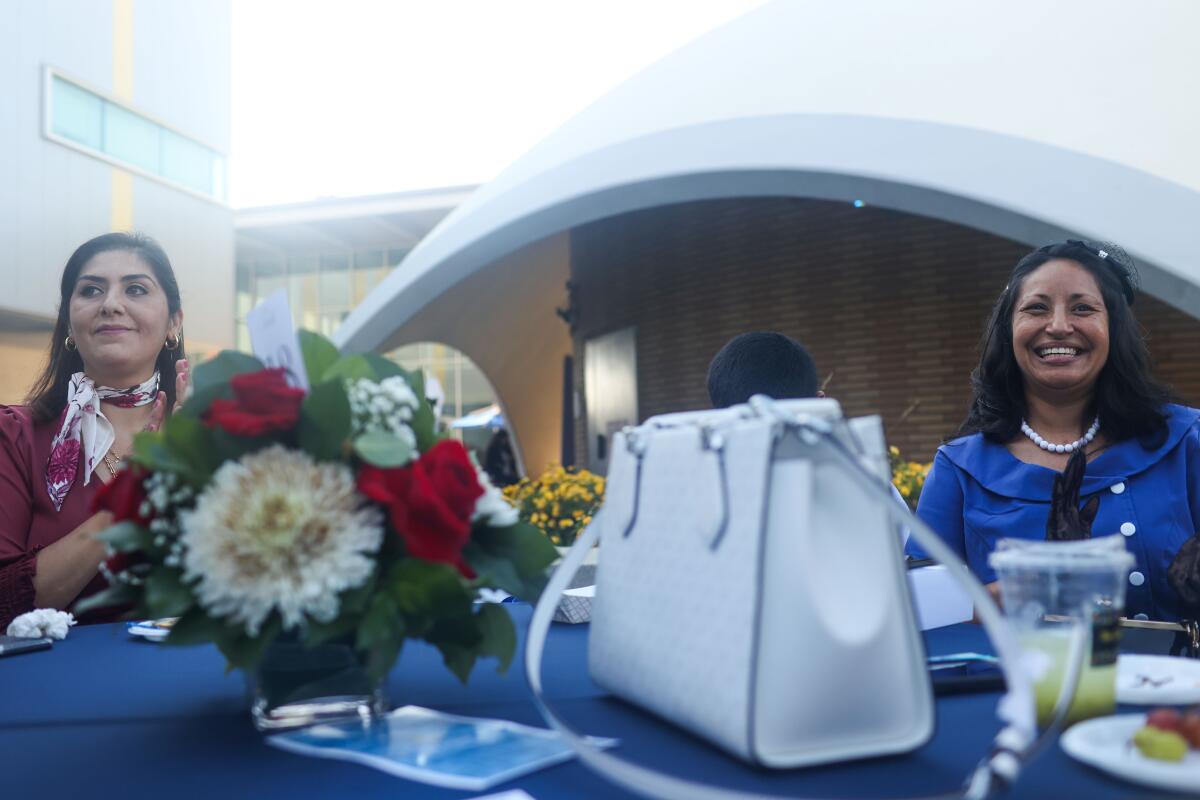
1015 745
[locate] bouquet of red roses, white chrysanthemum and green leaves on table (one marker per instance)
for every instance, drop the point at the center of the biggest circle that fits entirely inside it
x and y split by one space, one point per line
277 522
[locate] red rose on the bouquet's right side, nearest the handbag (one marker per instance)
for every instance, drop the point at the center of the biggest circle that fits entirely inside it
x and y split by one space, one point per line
430 502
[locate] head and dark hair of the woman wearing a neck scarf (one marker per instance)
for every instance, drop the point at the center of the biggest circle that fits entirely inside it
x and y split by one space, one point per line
121 318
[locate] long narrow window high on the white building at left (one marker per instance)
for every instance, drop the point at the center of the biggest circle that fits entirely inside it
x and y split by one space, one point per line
89 122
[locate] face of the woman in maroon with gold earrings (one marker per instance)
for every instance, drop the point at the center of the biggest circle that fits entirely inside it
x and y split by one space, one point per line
119 318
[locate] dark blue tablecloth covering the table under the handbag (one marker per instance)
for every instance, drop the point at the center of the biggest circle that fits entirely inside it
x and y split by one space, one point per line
106 715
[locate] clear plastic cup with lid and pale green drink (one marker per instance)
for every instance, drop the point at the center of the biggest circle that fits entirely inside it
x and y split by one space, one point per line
1048 591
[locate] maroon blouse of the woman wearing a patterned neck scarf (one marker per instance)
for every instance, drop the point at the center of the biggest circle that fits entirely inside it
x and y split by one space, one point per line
28 520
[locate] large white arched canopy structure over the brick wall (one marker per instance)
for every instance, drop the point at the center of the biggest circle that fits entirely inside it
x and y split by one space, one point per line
1034 122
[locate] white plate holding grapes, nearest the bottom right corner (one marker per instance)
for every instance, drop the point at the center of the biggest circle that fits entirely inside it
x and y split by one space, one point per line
1106 743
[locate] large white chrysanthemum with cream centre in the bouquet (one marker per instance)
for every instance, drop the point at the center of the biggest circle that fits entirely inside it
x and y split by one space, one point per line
278 531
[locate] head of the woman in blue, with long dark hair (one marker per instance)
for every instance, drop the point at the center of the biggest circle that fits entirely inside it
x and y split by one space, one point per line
1064 329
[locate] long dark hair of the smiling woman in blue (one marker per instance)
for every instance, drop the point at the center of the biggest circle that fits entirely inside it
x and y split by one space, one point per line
1127 399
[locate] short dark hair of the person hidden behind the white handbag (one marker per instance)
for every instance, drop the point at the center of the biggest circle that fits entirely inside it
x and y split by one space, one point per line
761 363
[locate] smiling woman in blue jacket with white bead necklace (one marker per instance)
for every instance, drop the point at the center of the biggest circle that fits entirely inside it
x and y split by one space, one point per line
1064 368
